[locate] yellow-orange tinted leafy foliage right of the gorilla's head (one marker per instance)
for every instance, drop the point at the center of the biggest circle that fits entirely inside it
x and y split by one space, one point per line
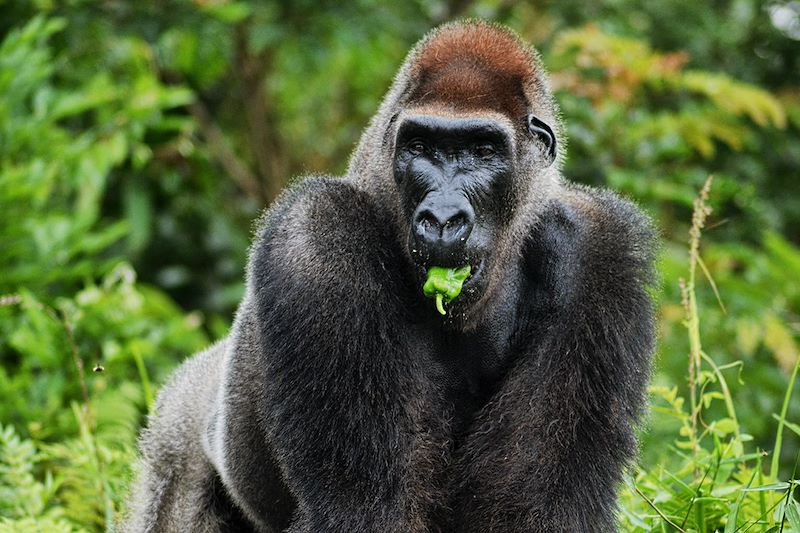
652 113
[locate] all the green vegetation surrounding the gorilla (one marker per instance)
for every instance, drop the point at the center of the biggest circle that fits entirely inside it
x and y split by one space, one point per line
138 141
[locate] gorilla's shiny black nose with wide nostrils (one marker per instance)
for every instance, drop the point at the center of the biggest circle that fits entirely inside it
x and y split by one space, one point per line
443 223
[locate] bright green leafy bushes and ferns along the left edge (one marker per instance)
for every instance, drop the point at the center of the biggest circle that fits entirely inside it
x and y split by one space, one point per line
68 300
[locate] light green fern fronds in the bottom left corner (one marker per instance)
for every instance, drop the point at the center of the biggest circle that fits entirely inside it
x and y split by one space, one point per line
73 485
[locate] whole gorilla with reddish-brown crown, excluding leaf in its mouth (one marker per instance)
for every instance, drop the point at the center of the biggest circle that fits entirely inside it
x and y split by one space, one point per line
344 401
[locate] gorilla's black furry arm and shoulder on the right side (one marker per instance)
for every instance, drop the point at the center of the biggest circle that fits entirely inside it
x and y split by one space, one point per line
547 453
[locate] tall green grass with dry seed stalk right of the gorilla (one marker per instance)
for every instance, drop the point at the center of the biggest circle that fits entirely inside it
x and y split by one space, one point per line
709 480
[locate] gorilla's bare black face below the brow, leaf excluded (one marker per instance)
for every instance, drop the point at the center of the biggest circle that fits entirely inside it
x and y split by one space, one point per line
454 176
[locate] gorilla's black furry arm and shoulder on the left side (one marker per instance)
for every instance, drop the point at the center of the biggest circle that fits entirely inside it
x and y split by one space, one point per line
320 380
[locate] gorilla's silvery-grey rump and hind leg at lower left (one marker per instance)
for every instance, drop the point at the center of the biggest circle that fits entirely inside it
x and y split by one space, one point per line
176 487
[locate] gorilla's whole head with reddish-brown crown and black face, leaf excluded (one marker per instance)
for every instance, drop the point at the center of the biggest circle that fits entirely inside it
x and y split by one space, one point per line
468 129
